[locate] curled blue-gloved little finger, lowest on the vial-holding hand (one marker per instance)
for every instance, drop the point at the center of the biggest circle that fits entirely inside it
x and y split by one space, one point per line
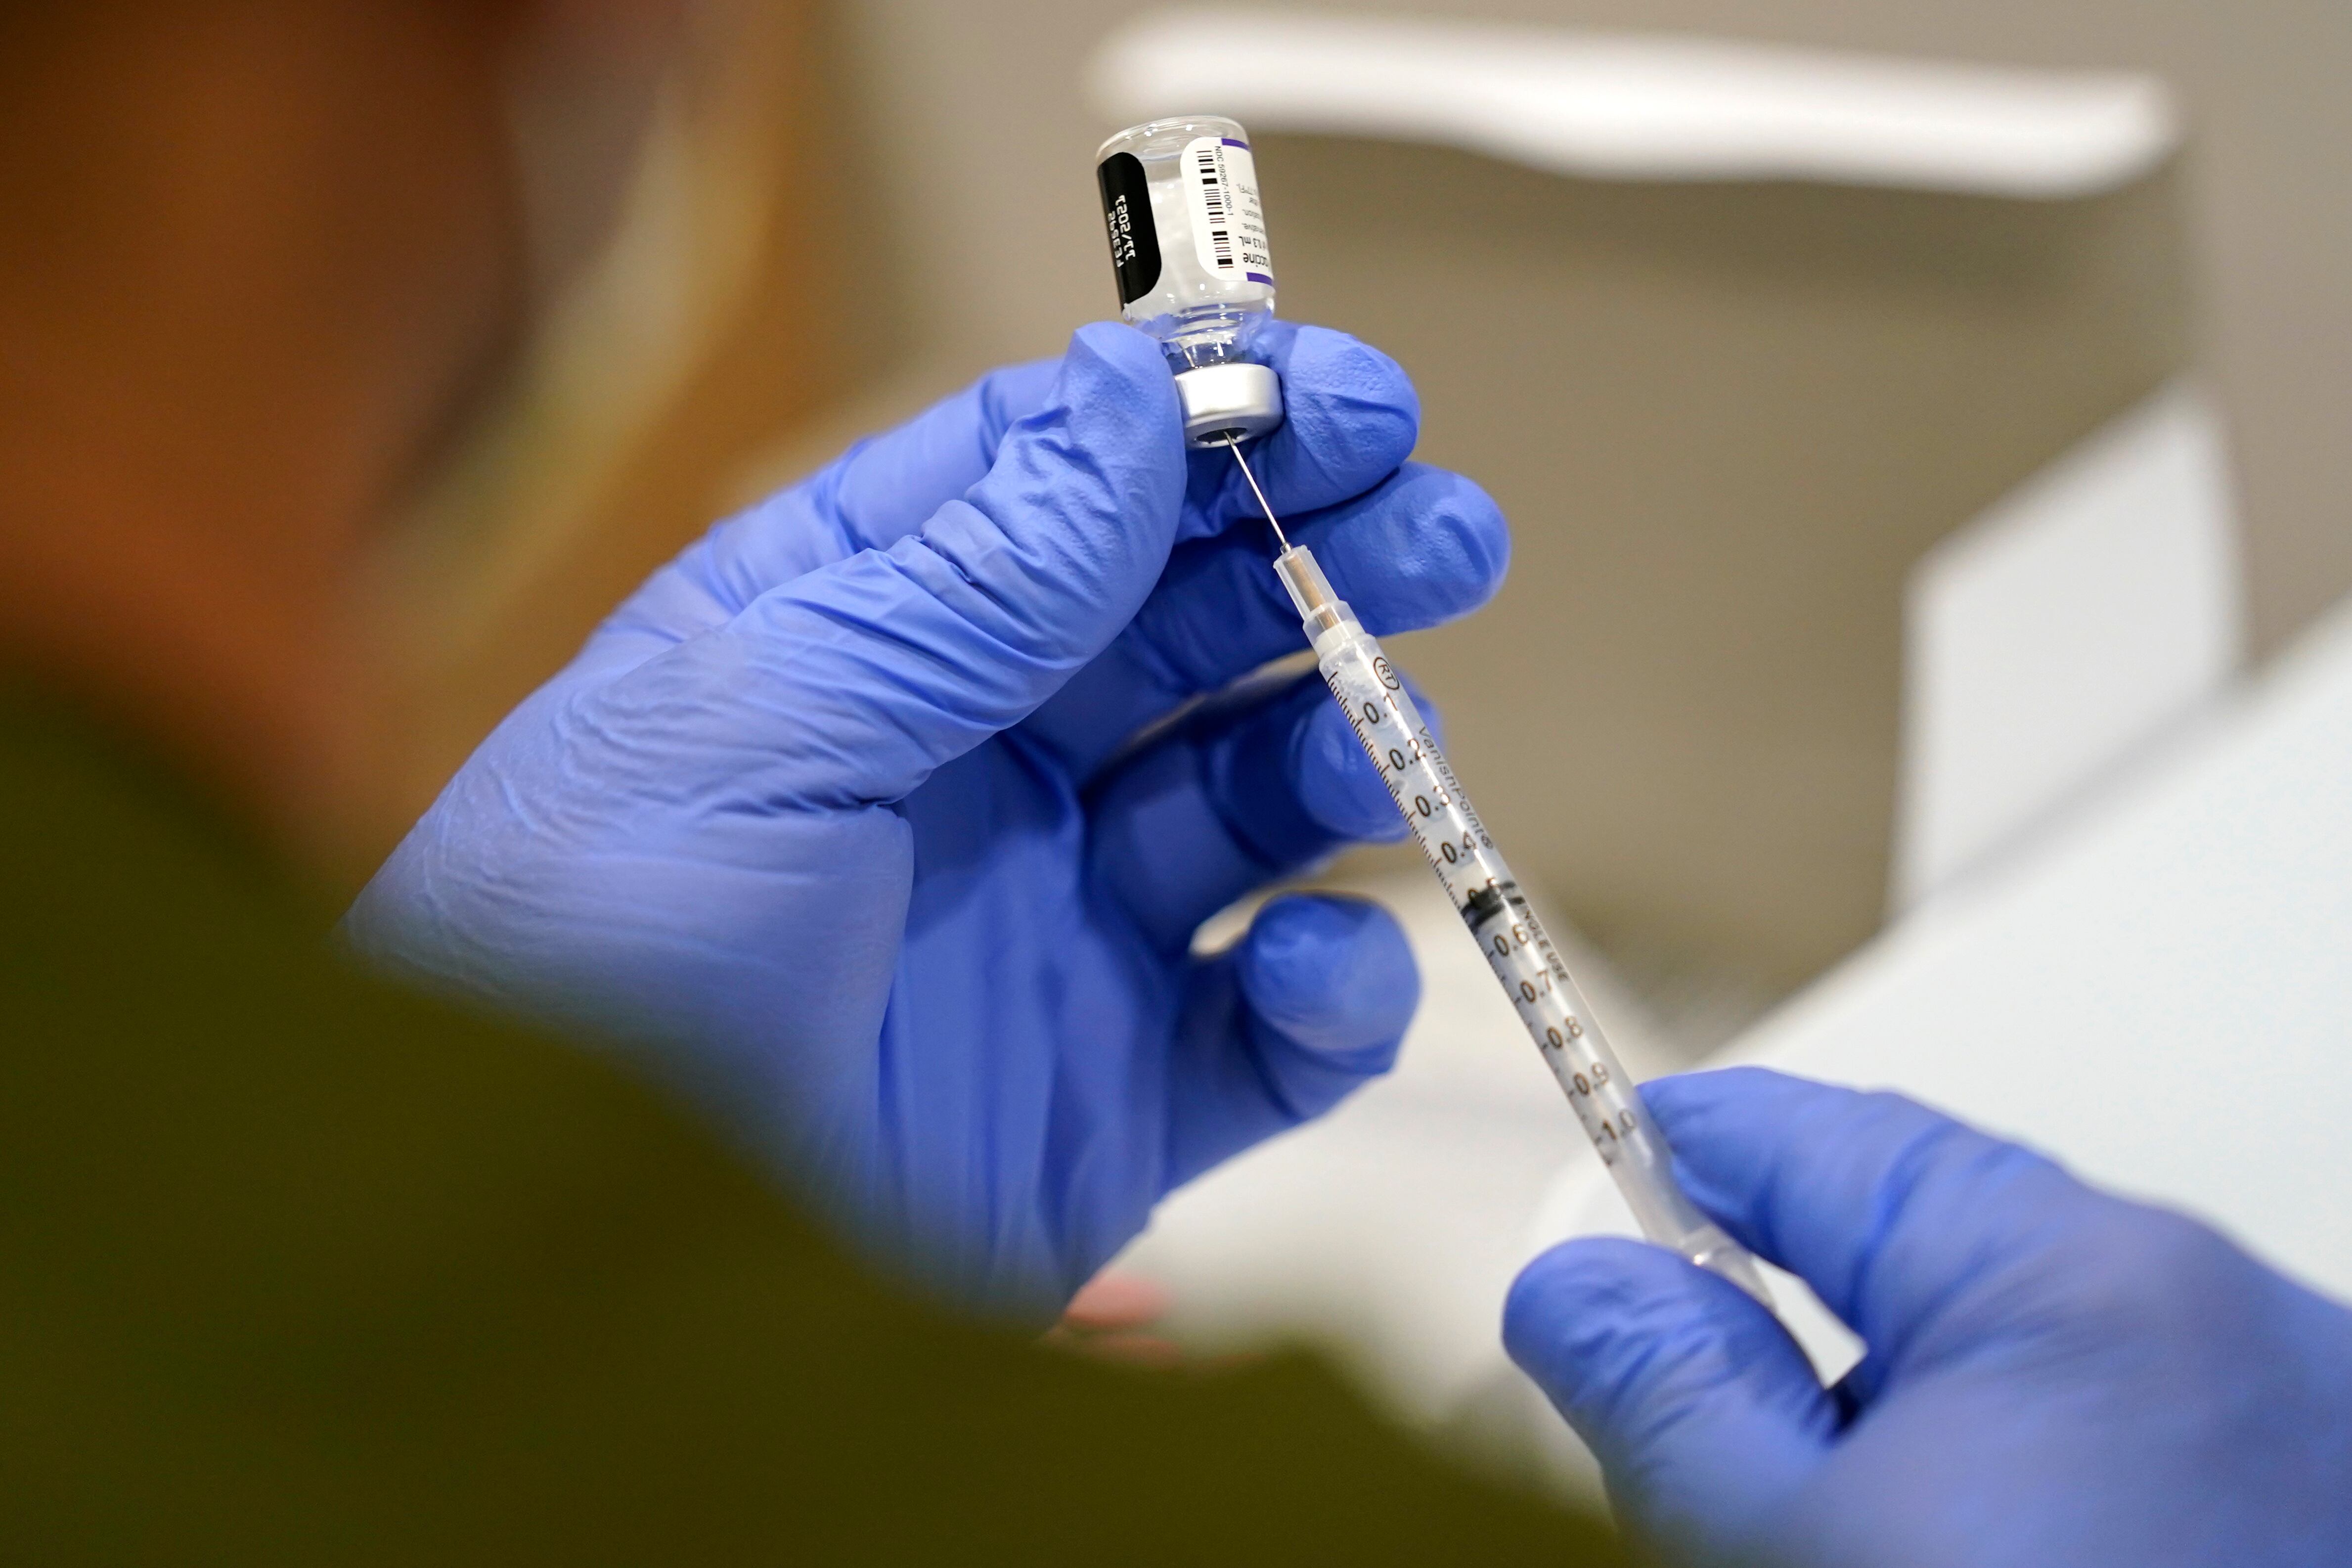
1302 1012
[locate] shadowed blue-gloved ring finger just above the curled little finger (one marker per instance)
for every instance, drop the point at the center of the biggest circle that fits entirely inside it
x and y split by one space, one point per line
1236 798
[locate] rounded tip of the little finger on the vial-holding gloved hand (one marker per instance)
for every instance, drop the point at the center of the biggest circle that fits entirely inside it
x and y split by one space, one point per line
1332 974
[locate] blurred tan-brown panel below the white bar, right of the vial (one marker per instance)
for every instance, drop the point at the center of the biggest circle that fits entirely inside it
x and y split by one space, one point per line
1725 422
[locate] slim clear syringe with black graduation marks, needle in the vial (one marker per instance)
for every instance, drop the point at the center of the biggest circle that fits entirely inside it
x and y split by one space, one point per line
1523 958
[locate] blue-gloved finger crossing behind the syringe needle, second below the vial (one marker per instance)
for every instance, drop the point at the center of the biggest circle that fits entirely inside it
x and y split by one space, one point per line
1422 549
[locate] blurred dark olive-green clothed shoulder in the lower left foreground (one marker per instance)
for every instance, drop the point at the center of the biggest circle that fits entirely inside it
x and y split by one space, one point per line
298 1266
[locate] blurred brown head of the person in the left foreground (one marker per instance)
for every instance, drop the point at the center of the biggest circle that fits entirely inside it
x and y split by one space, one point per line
258 262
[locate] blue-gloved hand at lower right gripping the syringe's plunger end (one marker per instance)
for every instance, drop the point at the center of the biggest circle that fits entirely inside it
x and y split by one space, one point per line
2054 1376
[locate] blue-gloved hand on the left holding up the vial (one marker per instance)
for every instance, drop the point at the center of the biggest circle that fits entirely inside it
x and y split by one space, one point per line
841 817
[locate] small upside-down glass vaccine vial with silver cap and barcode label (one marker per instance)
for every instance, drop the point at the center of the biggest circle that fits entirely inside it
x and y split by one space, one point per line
1189 250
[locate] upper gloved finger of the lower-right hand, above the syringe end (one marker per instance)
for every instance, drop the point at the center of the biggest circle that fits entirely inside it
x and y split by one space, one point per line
1895 1214
